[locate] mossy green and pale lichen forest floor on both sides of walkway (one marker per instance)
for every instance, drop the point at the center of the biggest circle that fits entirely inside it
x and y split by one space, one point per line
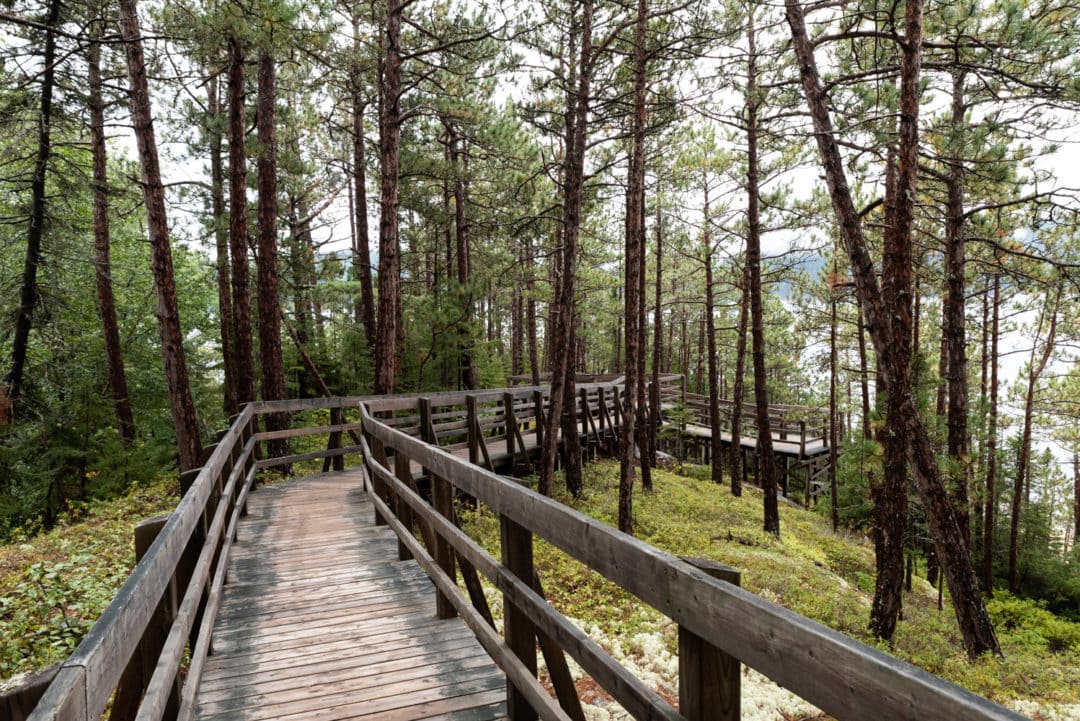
55 586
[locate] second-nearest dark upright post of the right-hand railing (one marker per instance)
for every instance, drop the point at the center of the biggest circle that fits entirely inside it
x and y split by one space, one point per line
517 545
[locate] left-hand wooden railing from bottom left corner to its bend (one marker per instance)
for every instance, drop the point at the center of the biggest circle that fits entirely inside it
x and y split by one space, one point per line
133 655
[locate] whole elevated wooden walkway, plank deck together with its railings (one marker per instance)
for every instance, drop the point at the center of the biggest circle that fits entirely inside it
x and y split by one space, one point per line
301 602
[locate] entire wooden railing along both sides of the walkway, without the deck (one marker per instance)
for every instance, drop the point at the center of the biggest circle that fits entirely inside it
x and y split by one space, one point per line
146 654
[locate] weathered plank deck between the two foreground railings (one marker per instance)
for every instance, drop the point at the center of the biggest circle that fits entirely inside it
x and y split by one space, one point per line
321 622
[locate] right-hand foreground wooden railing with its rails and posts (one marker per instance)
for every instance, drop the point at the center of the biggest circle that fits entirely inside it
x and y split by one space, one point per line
719 621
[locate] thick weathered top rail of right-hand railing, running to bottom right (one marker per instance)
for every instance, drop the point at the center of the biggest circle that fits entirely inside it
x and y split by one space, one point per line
845 678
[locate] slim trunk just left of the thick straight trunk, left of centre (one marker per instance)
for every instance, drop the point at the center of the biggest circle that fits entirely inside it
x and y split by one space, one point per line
362 251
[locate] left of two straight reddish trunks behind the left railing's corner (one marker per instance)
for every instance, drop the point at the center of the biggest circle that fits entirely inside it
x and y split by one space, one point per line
245 363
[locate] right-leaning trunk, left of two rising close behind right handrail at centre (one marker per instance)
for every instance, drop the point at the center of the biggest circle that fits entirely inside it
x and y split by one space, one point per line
563 317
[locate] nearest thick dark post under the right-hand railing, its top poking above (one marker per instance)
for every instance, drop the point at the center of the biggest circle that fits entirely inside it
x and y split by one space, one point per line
708 678
